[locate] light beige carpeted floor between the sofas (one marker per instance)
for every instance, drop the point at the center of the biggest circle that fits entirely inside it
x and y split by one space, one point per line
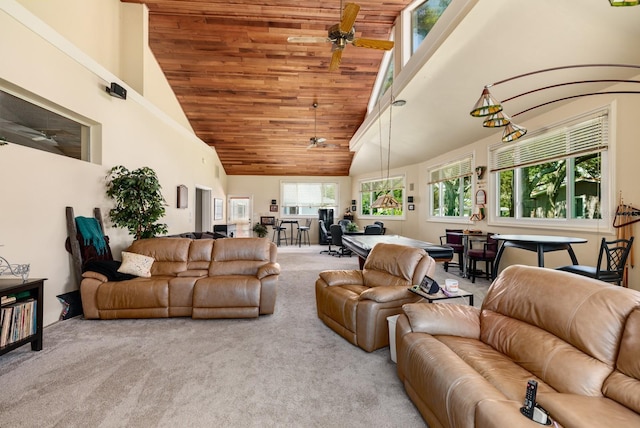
283 370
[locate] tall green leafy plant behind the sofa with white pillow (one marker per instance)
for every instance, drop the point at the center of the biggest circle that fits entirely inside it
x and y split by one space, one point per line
139 202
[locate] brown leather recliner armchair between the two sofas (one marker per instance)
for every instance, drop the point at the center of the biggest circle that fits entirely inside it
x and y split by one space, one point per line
356 303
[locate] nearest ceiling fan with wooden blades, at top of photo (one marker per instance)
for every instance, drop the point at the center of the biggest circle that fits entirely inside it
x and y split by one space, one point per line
342 33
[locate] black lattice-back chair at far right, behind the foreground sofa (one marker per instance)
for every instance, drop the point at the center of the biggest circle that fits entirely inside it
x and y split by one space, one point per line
616 253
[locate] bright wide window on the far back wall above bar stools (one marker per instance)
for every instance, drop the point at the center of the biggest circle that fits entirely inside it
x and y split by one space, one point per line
306 198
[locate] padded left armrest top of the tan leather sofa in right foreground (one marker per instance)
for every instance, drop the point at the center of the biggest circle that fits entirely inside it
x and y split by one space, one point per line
444 319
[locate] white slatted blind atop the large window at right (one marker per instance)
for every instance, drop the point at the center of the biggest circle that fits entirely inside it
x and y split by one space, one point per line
589 135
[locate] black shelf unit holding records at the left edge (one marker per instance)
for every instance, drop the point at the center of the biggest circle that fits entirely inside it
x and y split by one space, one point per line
27 291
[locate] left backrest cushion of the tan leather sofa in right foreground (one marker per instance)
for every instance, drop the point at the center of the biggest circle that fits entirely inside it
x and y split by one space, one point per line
575 322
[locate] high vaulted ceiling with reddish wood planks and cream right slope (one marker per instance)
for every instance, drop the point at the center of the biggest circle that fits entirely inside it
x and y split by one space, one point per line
249 93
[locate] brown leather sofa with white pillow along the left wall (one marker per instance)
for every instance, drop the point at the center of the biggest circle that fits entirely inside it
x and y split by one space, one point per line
203 278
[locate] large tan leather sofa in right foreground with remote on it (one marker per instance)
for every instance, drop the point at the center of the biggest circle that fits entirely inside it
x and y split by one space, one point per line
578 338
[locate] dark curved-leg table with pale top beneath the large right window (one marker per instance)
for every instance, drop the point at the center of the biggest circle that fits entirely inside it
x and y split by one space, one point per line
537 243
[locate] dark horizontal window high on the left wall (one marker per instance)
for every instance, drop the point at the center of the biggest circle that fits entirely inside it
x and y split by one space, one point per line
26 124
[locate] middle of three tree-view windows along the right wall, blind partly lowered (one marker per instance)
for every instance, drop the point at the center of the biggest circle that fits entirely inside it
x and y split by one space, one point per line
450 189
